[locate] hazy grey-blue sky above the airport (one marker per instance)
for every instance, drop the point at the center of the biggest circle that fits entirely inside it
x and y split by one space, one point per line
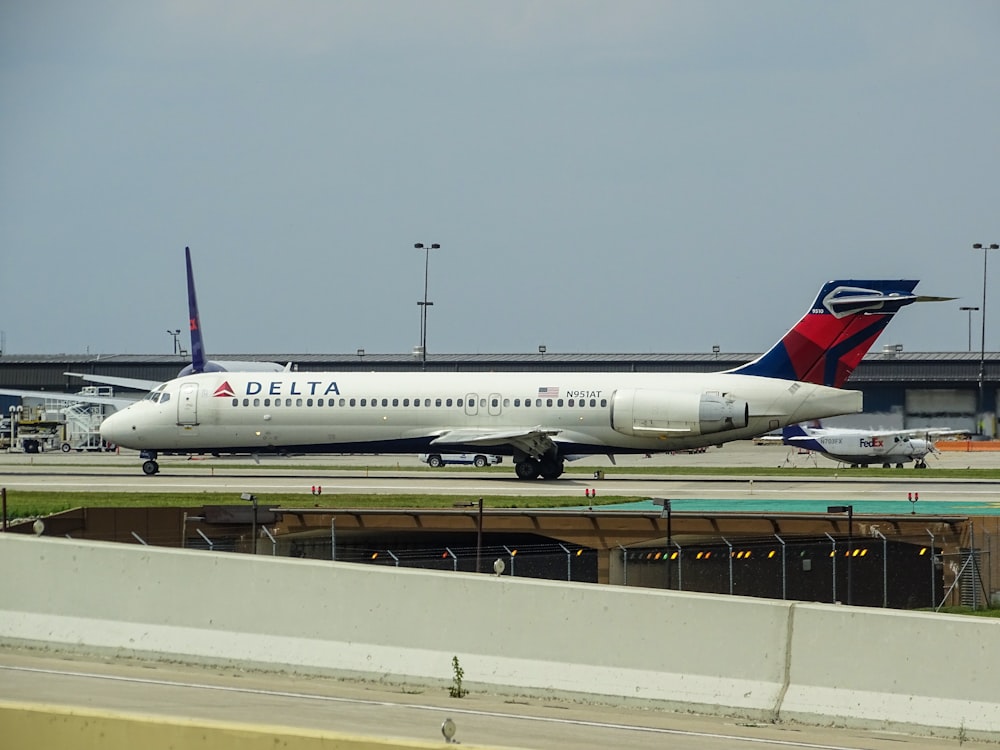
602 176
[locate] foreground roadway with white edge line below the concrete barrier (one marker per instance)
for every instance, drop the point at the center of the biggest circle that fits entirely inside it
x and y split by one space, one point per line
378 710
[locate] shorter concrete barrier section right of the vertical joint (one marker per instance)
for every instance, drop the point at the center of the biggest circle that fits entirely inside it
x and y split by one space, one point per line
931 670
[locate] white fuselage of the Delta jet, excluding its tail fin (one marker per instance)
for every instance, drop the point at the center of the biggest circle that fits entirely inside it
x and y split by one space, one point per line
583 413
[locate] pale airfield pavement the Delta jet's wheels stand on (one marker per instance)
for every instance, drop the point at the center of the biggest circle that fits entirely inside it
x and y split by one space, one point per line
899 491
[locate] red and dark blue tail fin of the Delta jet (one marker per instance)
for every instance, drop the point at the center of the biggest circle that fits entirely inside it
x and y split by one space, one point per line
830 340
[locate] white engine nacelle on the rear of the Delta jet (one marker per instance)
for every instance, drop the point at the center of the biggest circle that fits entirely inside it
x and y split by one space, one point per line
643 412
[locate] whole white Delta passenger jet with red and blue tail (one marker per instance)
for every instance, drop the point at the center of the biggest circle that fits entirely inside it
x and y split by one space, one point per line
540 419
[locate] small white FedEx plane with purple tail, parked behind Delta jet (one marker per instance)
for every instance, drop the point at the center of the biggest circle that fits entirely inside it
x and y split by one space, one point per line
867 447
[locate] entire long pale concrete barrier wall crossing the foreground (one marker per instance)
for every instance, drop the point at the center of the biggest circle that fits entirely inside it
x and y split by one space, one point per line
736 655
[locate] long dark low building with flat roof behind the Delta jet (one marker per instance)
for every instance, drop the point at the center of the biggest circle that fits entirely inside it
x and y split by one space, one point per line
955 390
